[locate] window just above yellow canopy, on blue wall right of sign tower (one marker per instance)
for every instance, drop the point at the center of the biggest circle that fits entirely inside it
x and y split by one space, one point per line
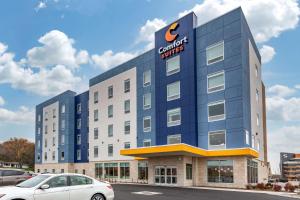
217 140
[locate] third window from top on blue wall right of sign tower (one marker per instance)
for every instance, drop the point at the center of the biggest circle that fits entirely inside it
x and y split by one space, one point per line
216 111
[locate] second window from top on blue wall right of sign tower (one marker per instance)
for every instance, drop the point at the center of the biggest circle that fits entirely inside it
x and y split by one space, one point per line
215 82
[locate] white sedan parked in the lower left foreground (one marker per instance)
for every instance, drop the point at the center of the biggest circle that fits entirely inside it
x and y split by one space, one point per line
58 187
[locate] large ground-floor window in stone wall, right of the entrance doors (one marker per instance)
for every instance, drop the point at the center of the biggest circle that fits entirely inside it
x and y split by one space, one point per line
220 171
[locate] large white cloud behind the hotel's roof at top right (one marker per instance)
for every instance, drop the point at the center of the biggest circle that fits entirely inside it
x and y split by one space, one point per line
267 18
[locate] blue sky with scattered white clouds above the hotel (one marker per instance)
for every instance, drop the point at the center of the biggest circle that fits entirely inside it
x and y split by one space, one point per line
49 46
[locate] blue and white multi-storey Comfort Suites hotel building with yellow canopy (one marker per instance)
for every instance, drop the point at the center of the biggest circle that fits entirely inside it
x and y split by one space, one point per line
190 112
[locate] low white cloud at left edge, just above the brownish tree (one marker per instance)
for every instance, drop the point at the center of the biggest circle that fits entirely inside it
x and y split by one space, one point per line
21 116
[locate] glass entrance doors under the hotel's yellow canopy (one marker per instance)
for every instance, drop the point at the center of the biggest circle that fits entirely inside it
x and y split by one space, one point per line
165 175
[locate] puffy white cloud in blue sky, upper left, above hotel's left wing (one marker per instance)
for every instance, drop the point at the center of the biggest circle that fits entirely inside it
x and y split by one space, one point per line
57 49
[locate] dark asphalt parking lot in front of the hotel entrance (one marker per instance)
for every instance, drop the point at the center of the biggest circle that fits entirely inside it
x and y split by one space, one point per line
144 192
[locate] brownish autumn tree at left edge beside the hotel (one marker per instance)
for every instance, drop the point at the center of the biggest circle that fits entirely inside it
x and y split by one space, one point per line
18 150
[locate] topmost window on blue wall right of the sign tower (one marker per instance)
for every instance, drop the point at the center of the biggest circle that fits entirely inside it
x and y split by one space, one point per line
215 53
